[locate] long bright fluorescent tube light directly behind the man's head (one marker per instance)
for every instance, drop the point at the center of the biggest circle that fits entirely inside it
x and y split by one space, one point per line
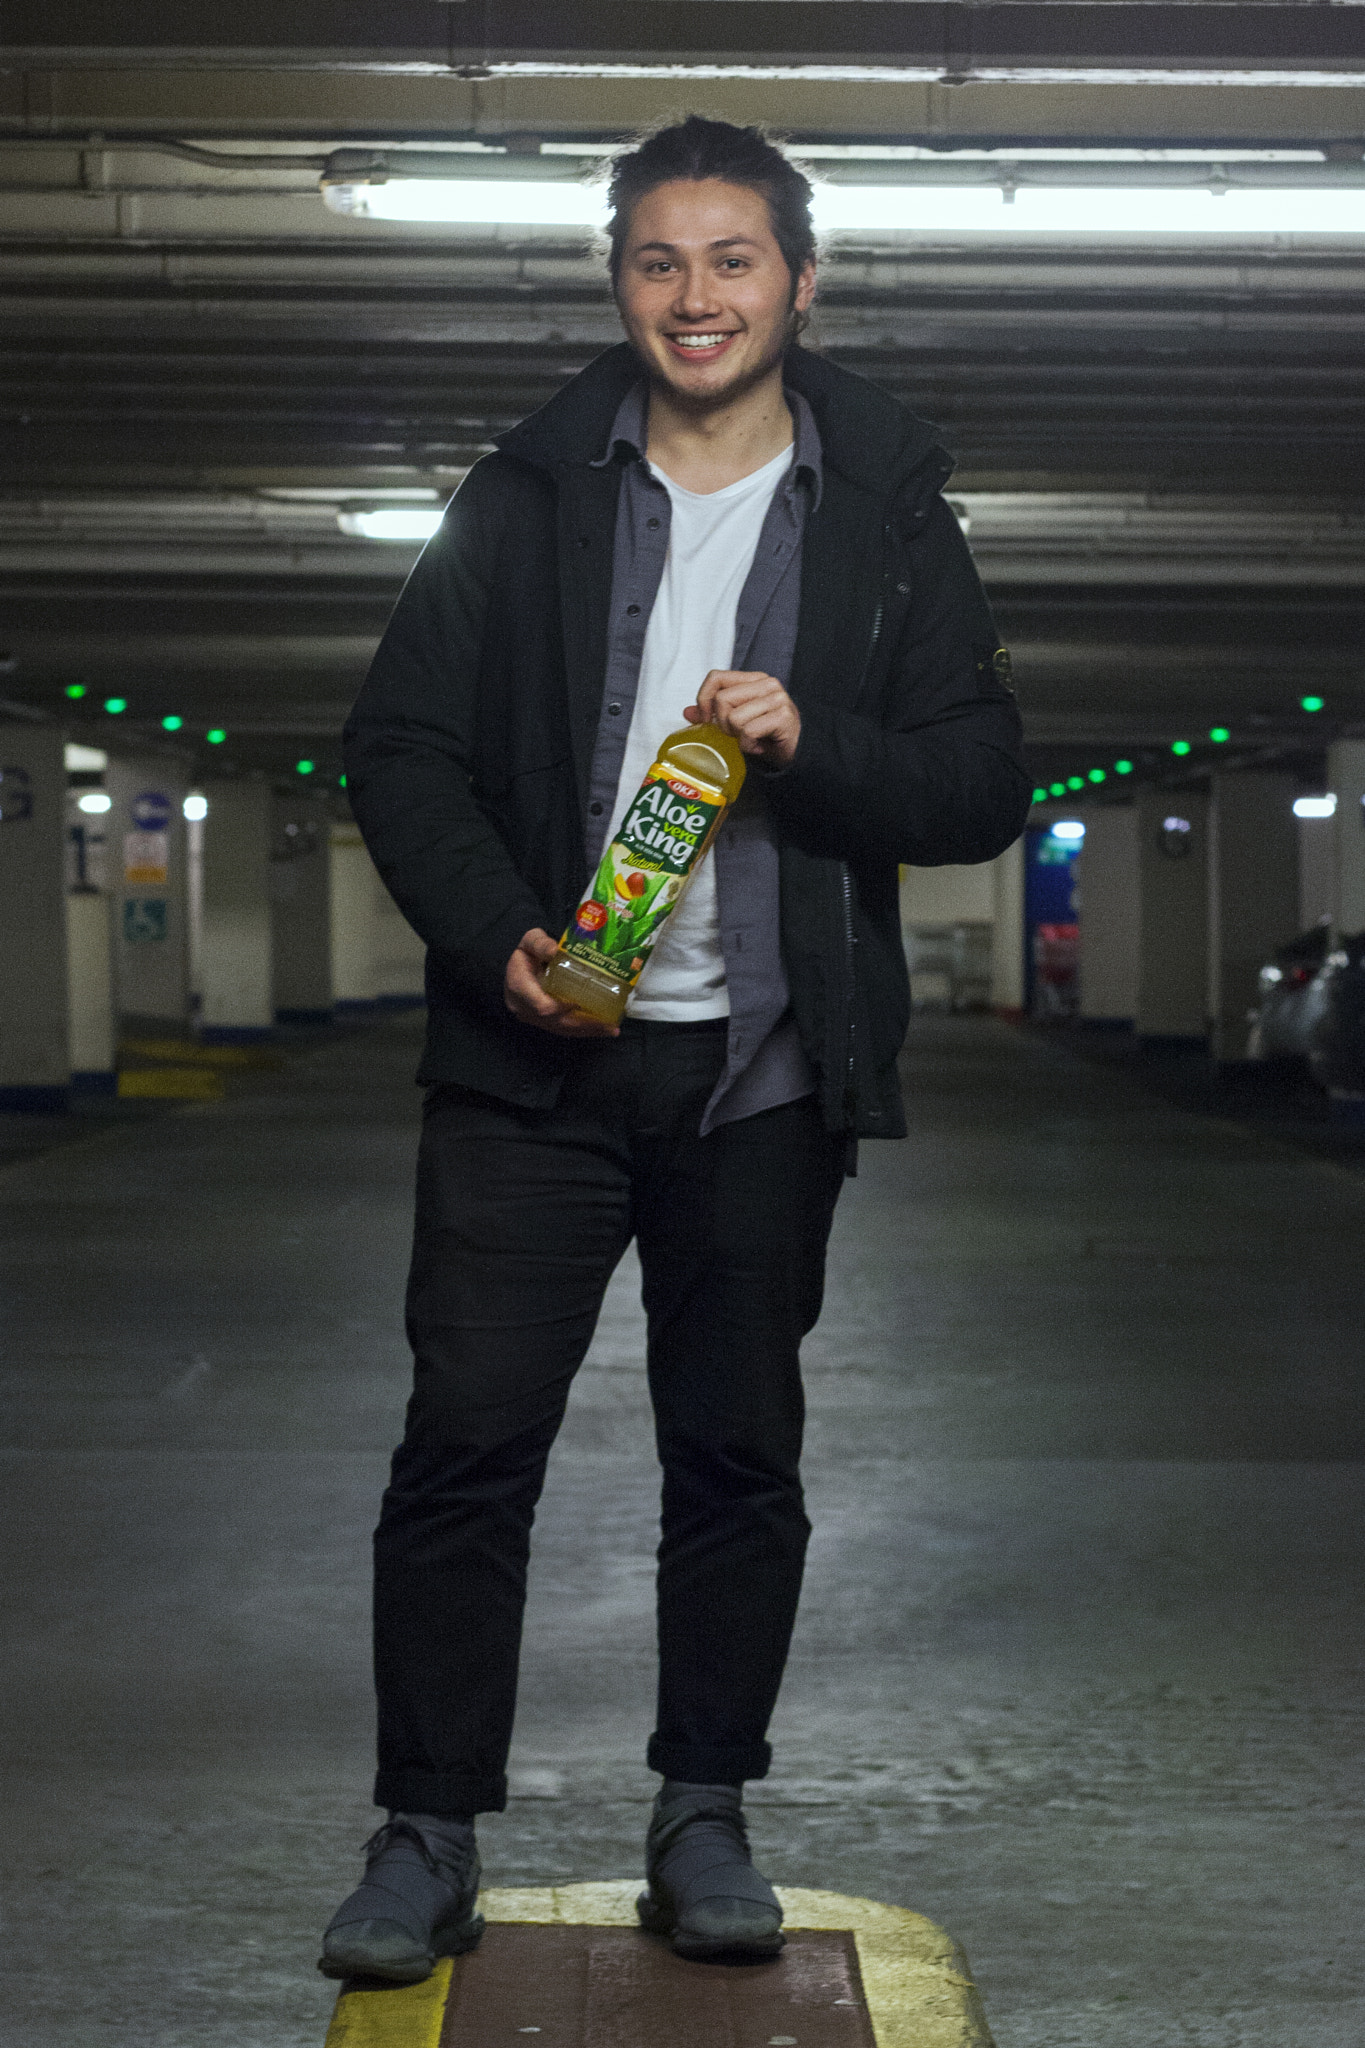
992 210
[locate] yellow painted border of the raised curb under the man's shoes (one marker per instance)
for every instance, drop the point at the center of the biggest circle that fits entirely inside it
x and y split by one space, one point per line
916 1977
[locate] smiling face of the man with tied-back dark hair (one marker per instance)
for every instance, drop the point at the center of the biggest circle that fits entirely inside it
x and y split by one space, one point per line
705 292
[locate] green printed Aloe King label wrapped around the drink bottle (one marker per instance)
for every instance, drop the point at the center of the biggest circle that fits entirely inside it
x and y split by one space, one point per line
644 873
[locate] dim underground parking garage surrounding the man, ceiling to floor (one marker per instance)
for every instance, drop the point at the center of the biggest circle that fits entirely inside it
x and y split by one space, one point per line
1075 1672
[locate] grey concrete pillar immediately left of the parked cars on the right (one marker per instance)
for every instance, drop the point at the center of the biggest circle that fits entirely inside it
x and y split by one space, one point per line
1253 894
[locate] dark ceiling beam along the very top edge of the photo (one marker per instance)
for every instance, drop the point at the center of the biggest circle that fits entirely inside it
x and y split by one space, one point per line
824 40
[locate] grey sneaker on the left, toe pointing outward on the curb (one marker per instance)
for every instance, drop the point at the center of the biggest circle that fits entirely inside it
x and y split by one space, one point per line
416 1904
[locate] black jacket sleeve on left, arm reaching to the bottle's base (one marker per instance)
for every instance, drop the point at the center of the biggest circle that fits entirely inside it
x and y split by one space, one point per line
410 749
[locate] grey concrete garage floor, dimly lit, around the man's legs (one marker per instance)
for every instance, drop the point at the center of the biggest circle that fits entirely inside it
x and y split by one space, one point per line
1077 1670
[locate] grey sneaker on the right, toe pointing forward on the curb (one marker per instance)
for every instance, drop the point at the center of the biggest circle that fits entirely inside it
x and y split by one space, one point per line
703 1887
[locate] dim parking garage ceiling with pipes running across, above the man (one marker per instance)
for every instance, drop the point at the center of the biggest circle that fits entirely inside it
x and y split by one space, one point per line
1161 443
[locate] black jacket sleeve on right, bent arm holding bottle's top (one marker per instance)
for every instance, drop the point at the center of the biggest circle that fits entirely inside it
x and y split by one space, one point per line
938 777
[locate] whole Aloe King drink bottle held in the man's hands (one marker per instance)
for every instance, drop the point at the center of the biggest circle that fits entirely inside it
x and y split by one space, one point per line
660 845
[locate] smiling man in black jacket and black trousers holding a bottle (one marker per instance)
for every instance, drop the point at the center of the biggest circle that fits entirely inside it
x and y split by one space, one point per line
707 523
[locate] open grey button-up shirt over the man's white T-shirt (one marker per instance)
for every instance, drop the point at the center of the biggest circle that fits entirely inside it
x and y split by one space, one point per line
764 1060
